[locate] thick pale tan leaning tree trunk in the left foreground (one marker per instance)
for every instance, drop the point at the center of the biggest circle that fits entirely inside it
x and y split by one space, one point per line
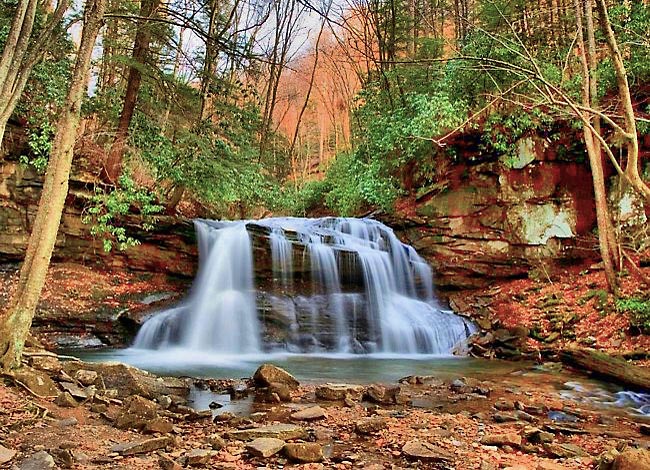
16 321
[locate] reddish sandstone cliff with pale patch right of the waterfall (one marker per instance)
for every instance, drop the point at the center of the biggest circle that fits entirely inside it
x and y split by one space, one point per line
493 222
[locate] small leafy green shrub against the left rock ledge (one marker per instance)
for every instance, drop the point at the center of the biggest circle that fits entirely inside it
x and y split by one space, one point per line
107 209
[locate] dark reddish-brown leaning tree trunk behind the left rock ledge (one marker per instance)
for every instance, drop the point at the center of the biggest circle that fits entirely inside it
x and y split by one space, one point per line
113 166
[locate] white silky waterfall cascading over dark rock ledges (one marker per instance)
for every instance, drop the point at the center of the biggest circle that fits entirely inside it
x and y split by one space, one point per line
355 289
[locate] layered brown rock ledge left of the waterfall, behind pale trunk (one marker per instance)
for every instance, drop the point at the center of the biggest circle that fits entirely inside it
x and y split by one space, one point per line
170 248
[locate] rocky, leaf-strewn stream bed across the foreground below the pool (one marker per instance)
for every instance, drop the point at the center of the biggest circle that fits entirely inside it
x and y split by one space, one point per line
70 414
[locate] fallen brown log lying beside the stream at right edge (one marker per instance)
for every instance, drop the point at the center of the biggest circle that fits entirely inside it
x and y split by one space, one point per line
607 367
